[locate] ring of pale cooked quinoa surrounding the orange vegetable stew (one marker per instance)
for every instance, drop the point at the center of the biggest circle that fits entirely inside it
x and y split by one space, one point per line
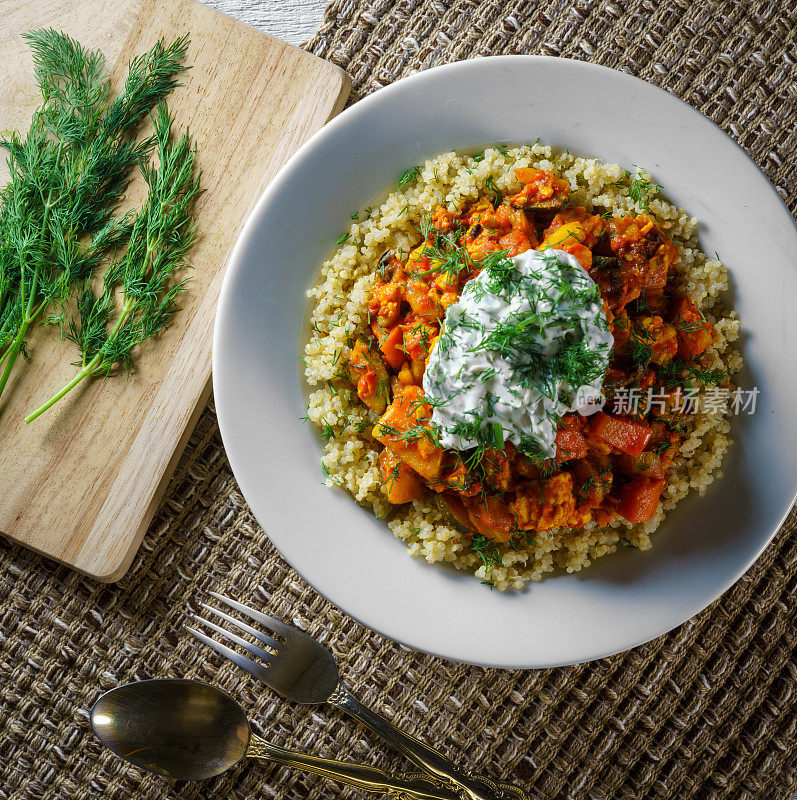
340 314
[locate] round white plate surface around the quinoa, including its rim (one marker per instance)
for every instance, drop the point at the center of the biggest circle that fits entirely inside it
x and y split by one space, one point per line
625 599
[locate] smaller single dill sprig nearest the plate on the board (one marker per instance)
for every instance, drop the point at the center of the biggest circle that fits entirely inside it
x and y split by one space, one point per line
107 331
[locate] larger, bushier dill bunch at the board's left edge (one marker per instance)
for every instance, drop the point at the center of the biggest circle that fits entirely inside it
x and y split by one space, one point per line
68 176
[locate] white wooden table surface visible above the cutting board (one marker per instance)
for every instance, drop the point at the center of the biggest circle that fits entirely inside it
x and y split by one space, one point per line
293 21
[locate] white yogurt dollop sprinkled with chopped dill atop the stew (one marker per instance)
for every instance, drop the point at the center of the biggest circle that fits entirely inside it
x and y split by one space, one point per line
526 342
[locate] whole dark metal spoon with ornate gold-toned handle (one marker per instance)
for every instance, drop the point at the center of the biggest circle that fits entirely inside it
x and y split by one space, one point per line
191 730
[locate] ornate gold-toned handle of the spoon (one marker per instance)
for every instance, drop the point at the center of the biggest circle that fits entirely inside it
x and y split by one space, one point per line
370 779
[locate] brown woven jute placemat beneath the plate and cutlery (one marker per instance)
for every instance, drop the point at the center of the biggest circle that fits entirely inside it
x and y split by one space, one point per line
706 711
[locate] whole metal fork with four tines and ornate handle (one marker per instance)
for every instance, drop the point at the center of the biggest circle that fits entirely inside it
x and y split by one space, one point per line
301 669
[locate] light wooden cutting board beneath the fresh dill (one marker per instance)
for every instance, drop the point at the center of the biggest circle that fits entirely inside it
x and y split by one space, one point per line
81 483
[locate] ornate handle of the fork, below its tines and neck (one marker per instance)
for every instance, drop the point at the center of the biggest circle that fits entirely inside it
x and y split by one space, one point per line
427 758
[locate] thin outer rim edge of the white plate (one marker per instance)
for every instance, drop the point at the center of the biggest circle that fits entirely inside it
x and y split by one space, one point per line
236 264
